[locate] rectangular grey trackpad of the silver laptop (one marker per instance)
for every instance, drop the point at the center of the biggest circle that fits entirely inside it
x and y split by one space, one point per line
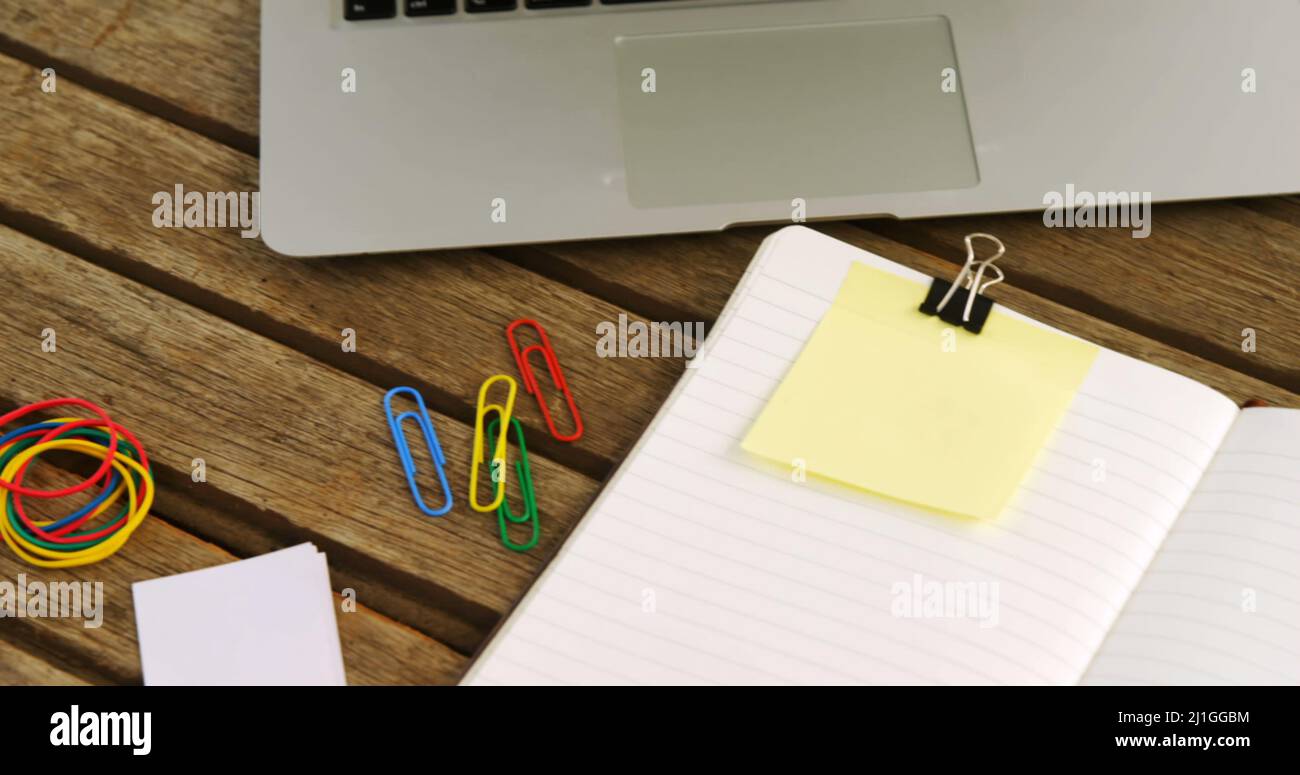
775 114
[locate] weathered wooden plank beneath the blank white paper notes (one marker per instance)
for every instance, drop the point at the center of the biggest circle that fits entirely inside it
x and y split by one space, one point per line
376 650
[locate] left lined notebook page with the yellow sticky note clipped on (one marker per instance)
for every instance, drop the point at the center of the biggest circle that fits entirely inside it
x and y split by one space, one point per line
701 565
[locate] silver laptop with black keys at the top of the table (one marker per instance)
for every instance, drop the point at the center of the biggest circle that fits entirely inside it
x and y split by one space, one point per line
422 124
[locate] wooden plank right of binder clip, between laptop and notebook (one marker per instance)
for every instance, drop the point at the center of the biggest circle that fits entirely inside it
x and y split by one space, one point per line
1208 271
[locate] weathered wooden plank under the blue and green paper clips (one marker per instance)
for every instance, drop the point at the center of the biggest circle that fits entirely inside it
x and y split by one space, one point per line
289 443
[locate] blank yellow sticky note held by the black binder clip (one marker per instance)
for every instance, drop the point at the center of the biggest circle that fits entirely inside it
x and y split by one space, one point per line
904 405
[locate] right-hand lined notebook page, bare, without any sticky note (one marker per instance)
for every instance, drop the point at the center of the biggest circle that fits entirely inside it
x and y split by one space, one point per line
1221 603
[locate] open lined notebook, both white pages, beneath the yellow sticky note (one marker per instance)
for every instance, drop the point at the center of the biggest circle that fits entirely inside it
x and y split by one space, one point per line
700 564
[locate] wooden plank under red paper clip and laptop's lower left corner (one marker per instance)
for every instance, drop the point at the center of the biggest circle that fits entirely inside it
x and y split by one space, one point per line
436 319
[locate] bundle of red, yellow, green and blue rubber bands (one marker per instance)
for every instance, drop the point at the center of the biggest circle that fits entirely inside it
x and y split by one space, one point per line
124 480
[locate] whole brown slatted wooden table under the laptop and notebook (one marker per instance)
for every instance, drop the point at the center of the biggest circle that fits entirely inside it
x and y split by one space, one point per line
211 347
